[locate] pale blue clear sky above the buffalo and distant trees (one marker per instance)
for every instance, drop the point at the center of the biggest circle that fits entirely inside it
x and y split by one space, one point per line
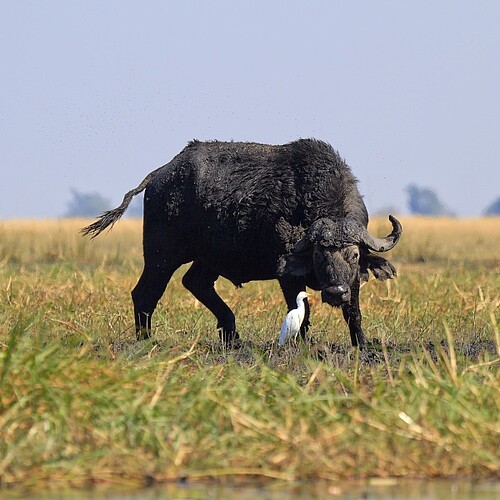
95 94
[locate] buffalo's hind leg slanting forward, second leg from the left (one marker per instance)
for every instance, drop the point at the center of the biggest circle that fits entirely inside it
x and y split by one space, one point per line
200 282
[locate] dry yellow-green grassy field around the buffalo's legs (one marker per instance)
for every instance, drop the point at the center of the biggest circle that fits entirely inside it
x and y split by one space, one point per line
83 403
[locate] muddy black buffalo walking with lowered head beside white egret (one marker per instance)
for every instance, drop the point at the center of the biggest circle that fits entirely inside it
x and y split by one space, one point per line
248 212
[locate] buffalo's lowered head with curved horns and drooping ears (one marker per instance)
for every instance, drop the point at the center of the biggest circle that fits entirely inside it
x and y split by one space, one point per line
334 255
